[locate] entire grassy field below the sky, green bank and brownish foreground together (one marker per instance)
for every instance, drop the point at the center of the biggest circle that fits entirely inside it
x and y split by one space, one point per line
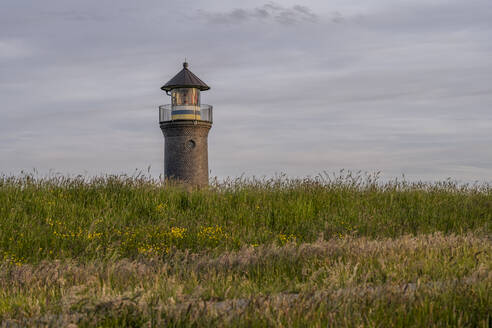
342 250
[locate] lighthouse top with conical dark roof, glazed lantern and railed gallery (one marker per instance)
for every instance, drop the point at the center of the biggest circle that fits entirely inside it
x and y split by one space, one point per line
184 90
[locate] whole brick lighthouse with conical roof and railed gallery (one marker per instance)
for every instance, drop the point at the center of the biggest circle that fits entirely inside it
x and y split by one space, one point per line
185 124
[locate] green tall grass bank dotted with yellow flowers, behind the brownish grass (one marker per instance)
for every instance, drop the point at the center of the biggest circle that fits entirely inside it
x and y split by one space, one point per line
129 217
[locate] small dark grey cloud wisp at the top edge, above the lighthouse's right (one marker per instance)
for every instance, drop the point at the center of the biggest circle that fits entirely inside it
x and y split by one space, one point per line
270 11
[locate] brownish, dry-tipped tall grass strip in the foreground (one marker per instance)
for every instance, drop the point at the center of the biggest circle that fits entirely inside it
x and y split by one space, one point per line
432 280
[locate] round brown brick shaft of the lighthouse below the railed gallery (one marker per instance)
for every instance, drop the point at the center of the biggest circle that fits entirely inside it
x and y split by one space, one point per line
186 151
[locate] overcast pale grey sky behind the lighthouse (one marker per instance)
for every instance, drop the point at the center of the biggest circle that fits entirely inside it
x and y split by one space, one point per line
300 87
